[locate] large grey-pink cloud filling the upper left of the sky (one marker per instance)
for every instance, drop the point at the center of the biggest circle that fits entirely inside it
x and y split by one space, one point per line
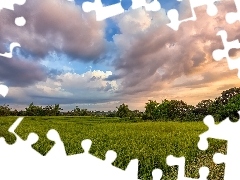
54 25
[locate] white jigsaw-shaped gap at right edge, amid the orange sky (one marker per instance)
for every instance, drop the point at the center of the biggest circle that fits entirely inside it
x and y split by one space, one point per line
224 53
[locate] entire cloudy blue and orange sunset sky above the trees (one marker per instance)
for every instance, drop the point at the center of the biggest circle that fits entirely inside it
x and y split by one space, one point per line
68 58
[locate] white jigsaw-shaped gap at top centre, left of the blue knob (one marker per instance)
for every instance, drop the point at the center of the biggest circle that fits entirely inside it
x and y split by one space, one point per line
103 12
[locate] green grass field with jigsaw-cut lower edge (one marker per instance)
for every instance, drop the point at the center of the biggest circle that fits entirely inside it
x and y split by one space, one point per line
149 142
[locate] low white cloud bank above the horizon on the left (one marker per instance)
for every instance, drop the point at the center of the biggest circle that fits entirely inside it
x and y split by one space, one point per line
67 88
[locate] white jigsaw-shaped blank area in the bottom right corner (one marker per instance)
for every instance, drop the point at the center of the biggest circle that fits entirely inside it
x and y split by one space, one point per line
229 131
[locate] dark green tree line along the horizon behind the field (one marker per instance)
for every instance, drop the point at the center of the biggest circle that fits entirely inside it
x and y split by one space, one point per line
226 105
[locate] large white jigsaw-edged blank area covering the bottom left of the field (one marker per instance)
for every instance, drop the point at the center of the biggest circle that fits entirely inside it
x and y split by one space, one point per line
27 162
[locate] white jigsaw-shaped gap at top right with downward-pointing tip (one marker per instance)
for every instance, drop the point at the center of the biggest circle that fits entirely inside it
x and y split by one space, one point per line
173 14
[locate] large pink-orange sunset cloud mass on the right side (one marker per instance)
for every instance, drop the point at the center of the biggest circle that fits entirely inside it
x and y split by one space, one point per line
152 56
